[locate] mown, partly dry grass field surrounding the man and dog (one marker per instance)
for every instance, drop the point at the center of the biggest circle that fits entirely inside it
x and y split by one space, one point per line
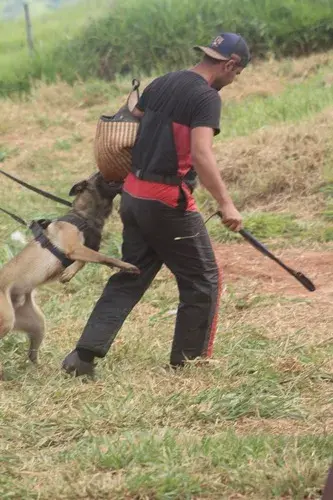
257 422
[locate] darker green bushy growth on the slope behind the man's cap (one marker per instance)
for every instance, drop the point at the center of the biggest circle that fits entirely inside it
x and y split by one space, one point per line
139 37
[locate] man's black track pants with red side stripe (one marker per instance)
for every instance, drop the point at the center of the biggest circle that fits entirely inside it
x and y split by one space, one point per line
149 232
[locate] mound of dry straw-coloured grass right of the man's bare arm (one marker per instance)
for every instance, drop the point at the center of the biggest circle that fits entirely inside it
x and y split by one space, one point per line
274 167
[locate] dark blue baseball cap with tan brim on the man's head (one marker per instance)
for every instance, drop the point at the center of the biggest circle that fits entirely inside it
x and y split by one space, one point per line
225 45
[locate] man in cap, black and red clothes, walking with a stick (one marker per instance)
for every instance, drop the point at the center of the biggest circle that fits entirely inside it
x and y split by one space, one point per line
180 114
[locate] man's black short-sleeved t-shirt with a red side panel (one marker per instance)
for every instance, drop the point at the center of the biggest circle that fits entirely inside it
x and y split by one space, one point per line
173 104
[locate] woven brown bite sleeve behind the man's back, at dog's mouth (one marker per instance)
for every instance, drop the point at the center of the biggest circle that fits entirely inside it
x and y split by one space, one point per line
115 137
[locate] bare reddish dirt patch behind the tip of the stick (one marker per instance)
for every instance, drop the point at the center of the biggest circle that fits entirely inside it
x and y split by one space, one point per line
241 262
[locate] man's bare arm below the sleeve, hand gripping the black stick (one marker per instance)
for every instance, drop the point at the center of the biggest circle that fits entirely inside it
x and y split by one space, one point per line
205 165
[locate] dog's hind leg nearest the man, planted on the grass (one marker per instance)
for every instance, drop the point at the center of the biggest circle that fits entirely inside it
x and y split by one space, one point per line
30 319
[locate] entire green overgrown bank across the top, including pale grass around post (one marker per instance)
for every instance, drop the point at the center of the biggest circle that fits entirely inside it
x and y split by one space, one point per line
97 44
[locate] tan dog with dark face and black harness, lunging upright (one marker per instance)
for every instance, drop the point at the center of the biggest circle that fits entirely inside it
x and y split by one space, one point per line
77 235
